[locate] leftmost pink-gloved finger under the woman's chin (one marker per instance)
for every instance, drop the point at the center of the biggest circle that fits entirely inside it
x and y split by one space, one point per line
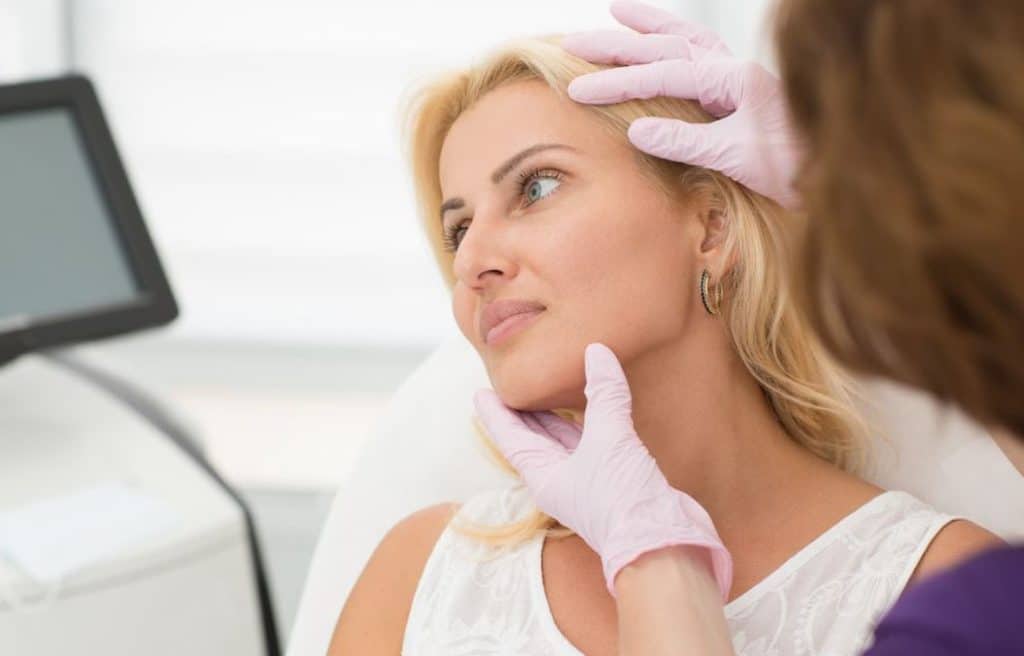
533 455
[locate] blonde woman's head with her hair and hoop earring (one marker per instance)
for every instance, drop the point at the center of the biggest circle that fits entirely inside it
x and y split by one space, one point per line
611 242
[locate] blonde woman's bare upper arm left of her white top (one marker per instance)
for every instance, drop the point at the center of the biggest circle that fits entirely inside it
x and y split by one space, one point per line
373 621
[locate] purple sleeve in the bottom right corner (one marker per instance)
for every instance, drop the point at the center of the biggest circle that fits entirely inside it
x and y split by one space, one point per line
976 609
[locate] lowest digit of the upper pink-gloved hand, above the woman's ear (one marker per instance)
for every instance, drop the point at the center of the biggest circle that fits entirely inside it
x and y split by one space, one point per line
704 145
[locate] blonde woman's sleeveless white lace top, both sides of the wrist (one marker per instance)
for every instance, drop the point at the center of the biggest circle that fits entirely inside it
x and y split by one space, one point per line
477 600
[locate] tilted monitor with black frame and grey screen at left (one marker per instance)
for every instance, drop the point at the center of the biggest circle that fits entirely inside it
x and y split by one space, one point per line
76 259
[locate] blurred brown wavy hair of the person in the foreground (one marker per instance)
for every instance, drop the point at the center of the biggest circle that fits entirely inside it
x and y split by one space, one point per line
912 261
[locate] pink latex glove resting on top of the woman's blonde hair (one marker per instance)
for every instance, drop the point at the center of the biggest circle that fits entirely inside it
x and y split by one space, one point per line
752 145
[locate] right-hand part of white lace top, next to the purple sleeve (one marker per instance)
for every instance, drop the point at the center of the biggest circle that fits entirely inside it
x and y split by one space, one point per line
828 597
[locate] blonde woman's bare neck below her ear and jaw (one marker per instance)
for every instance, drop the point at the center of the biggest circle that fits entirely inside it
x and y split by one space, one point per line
713 433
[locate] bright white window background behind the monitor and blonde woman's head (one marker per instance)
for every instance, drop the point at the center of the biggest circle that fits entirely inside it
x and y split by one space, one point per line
263 141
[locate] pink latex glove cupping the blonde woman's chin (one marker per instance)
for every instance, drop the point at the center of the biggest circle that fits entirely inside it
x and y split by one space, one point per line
602 482
